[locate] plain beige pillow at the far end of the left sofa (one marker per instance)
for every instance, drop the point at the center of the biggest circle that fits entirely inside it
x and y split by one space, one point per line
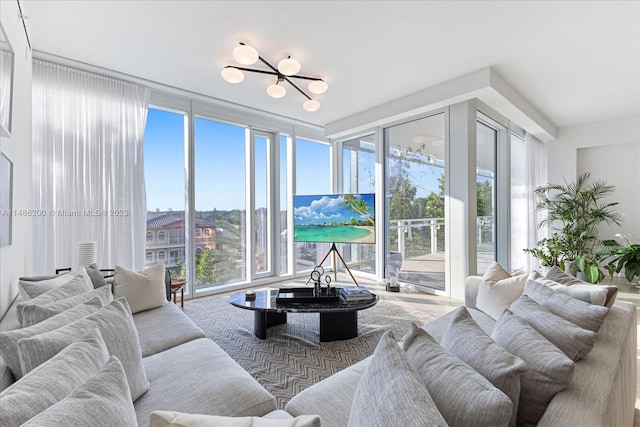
143 291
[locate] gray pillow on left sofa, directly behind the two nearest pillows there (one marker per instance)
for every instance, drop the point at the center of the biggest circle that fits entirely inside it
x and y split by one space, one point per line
118 331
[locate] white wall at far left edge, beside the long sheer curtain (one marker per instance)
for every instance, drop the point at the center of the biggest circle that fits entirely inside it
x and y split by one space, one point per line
16 260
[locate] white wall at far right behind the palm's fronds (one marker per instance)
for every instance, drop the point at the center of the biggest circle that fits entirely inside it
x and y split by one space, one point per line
610 151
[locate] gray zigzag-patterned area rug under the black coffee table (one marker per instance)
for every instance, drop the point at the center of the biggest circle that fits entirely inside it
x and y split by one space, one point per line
292 357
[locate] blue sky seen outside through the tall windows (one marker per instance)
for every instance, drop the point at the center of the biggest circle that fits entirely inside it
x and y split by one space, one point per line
220 166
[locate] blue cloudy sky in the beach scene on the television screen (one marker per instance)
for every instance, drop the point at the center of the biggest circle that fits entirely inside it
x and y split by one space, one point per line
324 208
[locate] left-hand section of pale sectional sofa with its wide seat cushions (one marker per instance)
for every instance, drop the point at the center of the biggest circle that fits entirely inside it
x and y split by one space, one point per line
186 371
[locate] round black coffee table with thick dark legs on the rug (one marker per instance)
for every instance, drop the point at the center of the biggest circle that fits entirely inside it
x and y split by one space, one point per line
338 320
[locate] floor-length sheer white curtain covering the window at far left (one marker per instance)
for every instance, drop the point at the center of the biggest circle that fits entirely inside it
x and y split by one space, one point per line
88 167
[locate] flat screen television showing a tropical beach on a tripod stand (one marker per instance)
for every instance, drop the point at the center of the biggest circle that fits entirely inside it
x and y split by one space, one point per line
334 218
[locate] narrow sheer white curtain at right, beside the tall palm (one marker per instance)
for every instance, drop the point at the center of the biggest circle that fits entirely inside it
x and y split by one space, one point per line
536 176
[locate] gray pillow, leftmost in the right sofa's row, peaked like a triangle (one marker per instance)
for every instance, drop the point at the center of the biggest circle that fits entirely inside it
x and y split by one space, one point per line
391 375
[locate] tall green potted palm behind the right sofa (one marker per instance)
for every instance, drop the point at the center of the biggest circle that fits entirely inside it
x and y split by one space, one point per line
573 212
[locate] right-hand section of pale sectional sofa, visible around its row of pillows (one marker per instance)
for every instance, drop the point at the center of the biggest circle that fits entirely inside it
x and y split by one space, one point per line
602 392
